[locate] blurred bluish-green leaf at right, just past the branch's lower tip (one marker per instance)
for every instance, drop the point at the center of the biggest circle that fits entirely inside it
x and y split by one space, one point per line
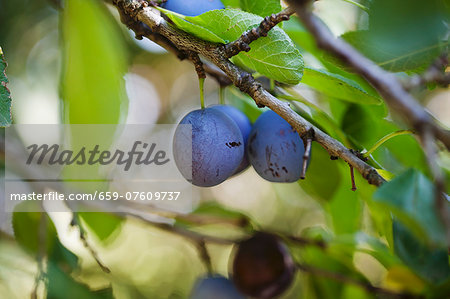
410 197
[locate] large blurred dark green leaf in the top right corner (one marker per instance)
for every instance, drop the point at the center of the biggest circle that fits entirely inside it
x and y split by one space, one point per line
403 35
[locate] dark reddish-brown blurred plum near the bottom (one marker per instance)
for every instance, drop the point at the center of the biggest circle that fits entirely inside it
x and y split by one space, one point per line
262 266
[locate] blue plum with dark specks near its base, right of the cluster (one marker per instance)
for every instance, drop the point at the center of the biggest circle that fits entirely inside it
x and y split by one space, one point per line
275 149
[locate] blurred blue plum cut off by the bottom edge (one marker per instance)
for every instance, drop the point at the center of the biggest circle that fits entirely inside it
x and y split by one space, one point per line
215 287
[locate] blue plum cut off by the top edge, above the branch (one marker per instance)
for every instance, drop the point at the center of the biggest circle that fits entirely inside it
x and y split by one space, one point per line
192 7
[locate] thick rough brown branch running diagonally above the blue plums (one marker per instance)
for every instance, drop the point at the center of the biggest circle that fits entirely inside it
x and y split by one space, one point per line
216 54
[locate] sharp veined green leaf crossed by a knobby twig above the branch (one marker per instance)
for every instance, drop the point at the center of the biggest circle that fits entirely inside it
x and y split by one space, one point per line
274 56
